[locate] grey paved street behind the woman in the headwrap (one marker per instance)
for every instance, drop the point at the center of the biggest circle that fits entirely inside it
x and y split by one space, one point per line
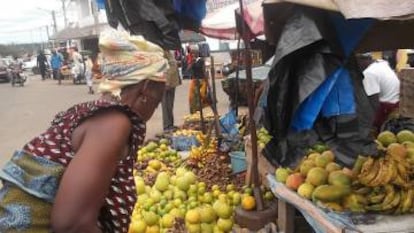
26 111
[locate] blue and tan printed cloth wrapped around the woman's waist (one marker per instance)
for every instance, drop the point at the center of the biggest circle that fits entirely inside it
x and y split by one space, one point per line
29 186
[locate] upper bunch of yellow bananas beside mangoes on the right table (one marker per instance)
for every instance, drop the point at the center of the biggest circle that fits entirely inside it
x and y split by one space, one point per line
383 171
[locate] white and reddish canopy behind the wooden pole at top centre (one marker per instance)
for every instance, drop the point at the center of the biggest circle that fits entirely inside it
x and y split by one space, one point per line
221 24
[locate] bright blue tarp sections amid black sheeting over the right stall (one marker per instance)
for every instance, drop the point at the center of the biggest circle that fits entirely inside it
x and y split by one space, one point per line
335 95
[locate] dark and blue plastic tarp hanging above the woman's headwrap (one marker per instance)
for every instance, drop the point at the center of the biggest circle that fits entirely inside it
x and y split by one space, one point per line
157 20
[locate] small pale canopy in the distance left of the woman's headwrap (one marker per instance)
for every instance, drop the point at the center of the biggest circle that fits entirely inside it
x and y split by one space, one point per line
77 32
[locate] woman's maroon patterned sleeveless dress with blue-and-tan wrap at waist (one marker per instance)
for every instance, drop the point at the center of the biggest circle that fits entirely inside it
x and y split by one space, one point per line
31 178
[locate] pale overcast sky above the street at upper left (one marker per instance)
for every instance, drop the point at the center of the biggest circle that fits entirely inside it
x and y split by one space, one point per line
25 21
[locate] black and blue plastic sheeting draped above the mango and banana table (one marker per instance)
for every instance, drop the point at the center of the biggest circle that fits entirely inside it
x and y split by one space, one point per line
310 60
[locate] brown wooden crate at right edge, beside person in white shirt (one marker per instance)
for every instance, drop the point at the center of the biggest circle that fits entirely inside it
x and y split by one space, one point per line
406 76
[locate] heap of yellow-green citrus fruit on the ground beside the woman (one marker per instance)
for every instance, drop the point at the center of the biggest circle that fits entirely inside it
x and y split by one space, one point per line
179 202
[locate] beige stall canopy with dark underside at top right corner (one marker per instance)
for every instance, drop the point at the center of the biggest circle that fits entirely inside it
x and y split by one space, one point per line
391 27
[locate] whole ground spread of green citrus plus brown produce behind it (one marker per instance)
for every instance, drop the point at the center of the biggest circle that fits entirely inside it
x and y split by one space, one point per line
195 194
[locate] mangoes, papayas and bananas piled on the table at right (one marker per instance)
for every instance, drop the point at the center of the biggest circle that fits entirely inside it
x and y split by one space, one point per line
382 184
